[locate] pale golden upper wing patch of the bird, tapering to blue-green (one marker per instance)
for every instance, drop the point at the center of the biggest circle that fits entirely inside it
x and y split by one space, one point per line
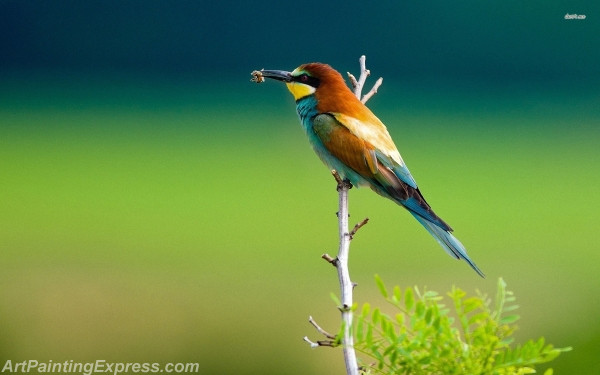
376 134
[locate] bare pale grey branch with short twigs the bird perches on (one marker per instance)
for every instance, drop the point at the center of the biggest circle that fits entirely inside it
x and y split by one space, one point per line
341 261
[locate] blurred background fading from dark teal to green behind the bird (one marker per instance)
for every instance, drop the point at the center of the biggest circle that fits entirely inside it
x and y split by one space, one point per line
155 206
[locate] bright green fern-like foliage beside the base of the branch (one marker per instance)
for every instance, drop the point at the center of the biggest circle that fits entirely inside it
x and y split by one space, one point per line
424 336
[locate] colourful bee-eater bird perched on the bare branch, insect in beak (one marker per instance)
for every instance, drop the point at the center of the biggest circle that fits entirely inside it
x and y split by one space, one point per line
349 138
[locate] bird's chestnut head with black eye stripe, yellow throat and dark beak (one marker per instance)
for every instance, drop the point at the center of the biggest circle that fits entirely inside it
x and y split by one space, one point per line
308 79
